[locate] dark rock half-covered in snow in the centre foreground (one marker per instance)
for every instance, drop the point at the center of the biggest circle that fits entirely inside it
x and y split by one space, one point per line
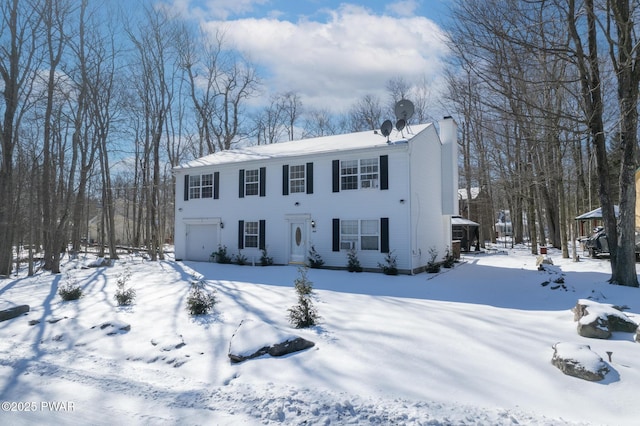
254 338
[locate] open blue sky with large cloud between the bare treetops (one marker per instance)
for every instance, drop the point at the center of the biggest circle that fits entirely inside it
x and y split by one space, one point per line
331 52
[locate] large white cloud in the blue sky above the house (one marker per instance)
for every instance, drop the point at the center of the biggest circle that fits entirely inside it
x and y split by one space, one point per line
334 62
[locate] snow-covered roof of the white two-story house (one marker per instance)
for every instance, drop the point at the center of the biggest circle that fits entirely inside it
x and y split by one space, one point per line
325 144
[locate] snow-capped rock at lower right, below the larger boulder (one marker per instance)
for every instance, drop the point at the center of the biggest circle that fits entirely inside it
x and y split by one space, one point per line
579 361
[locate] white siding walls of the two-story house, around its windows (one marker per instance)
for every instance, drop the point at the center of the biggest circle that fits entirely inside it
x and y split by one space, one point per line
412 203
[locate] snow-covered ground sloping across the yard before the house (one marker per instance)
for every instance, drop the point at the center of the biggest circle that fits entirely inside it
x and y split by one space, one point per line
469 346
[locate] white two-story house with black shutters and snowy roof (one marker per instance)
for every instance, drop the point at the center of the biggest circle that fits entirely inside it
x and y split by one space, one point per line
359 191
